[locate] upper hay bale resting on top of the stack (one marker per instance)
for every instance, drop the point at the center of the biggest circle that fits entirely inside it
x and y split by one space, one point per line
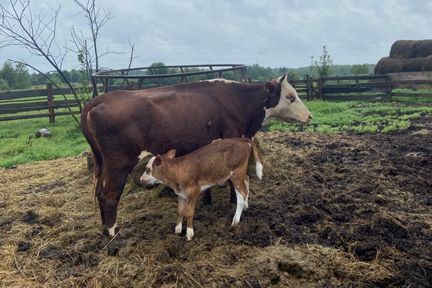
411 49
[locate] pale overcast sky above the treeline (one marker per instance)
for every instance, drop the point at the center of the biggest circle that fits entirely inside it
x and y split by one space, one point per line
271 33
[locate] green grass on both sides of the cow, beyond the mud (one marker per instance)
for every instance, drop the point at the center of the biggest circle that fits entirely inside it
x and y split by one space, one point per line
328 117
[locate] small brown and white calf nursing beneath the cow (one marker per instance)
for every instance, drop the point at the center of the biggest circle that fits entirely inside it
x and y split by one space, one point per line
216 163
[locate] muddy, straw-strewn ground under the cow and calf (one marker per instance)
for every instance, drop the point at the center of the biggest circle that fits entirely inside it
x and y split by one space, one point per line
332 211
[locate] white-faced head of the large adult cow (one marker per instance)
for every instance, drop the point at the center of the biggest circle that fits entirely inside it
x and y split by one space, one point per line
289 107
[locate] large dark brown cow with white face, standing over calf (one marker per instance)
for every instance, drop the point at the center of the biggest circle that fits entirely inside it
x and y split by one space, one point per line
121 125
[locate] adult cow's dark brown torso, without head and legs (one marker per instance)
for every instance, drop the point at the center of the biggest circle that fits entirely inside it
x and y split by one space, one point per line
183 117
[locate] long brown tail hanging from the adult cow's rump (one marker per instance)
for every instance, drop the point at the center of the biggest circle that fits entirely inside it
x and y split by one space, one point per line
89 134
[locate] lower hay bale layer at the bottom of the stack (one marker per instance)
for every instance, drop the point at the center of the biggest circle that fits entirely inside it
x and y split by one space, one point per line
394 65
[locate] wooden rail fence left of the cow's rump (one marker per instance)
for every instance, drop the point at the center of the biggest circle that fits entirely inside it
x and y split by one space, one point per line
39 102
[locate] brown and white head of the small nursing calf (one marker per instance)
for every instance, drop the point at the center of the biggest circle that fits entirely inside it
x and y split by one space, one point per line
155 172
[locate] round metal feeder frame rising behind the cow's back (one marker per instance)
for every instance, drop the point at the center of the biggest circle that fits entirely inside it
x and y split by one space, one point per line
145 77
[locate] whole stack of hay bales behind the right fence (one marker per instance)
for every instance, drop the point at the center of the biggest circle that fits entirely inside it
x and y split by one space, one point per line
407 56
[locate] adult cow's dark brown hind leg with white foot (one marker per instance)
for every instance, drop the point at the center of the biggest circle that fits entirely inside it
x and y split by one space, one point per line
112 184
